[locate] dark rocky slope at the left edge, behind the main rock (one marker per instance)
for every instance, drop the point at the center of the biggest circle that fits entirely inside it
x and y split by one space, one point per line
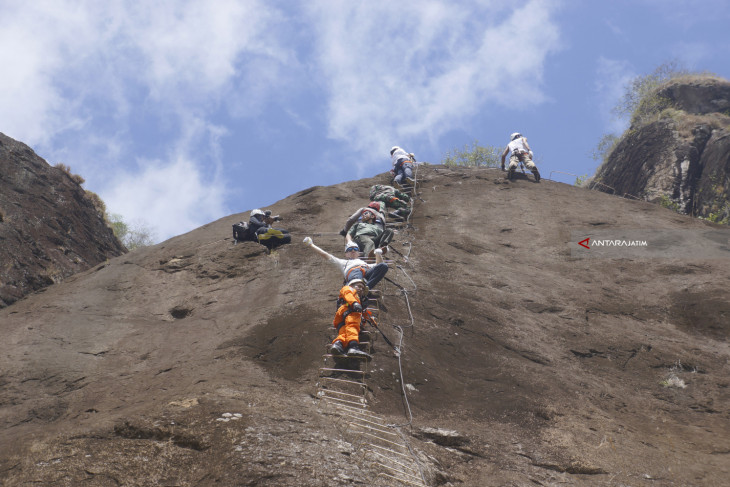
49 227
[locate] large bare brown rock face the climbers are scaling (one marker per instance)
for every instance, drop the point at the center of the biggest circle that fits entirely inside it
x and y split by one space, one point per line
522 366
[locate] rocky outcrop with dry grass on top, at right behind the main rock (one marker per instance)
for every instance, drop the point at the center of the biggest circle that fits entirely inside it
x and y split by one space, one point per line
682 156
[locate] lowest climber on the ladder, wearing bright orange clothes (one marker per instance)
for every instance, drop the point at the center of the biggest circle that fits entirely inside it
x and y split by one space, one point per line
347 319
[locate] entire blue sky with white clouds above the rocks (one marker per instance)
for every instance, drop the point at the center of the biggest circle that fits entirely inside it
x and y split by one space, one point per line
180 112
